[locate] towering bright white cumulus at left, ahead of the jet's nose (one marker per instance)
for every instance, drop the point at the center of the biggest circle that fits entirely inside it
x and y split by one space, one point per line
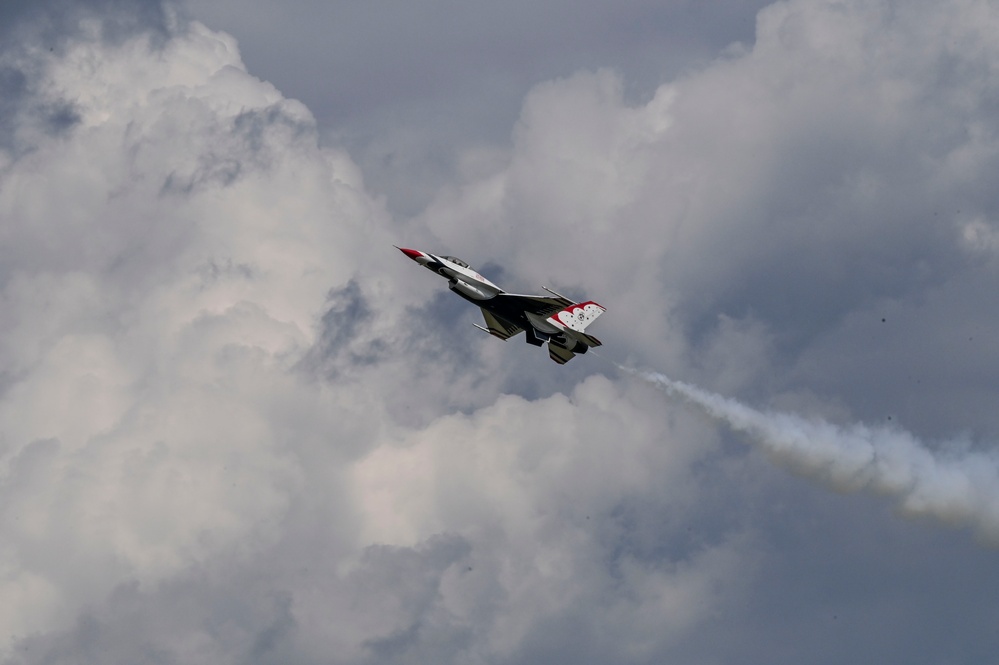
167 260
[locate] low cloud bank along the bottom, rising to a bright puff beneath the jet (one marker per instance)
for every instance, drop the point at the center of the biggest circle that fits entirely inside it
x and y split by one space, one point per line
468 551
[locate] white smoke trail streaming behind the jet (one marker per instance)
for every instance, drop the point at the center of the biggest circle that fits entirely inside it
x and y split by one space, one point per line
958 487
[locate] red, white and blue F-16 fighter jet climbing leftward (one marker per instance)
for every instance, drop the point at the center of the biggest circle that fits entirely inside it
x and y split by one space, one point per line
554 319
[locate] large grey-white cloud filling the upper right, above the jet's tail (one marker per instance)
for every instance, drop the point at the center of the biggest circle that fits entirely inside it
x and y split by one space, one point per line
833 164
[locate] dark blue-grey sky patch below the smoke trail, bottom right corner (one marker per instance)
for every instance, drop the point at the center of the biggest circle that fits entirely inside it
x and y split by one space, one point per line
844 578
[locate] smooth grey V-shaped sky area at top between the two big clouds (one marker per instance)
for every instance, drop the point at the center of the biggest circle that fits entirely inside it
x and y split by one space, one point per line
405 85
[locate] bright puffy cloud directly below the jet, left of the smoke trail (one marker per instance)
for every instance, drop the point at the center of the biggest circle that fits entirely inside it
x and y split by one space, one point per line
532 487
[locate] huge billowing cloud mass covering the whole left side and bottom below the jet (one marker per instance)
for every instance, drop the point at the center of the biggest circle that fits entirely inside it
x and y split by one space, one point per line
210 395
